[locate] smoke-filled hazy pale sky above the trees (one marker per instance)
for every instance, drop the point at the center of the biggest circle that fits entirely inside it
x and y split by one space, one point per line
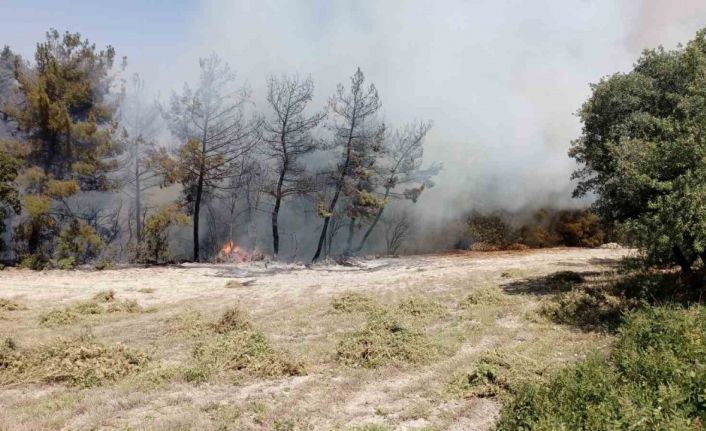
500 79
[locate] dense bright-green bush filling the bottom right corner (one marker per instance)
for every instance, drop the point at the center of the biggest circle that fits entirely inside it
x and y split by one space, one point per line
655 379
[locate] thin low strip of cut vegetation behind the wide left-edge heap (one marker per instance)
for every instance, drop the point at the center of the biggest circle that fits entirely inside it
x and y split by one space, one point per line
102 302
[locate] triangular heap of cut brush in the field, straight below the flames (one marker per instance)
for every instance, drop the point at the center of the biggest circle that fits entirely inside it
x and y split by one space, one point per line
236 347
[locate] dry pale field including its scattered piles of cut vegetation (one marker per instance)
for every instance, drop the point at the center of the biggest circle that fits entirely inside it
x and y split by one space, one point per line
320 371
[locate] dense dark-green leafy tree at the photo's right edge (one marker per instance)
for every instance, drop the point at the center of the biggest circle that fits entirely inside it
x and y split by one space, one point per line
643 152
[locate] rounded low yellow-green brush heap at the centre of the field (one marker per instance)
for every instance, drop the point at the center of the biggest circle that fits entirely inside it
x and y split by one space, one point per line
384 340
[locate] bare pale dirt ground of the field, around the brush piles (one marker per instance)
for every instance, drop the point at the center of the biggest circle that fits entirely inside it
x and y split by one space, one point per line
291 304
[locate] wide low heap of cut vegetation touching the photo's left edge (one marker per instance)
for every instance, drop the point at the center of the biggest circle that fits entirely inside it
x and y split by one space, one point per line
81 362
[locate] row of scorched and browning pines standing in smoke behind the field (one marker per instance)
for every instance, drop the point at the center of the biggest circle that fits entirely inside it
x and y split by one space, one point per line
83 150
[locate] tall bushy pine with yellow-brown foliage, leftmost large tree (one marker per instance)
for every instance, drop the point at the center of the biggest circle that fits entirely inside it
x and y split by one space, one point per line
66 119
